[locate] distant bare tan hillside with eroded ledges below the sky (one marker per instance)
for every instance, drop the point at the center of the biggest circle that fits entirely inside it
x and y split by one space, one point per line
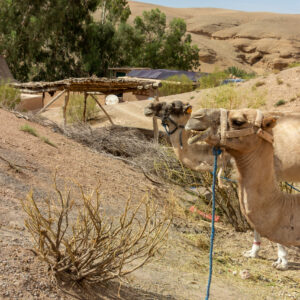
256 41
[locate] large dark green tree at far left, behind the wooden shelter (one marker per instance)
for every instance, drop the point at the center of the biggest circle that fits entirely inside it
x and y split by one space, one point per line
40 38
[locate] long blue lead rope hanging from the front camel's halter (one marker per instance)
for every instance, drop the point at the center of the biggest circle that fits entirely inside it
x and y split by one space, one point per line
216 153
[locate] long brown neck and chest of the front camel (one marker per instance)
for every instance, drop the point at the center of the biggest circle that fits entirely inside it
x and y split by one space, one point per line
272 213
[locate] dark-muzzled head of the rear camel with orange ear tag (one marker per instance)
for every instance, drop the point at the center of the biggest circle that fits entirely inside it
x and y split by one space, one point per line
178 111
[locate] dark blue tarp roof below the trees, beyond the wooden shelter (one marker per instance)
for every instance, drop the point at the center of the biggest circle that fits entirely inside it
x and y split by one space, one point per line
164 74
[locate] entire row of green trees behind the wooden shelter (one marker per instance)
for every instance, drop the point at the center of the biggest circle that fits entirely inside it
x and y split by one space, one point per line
52 40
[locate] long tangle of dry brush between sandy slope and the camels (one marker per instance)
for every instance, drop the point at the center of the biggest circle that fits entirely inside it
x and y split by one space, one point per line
136 145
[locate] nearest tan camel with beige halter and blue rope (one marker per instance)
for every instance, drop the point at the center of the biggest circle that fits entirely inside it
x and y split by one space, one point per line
248 136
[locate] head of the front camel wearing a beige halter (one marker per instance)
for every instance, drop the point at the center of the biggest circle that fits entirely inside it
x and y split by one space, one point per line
240 130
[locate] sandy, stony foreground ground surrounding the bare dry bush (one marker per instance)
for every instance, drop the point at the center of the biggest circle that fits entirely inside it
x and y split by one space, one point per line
180 274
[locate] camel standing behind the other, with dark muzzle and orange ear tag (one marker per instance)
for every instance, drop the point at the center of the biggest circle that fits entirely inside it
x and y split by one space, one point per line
197 156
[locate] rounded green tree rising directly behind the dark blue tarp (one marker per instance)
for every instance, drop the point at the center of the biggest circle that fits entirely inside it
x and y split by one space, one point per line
154 44
